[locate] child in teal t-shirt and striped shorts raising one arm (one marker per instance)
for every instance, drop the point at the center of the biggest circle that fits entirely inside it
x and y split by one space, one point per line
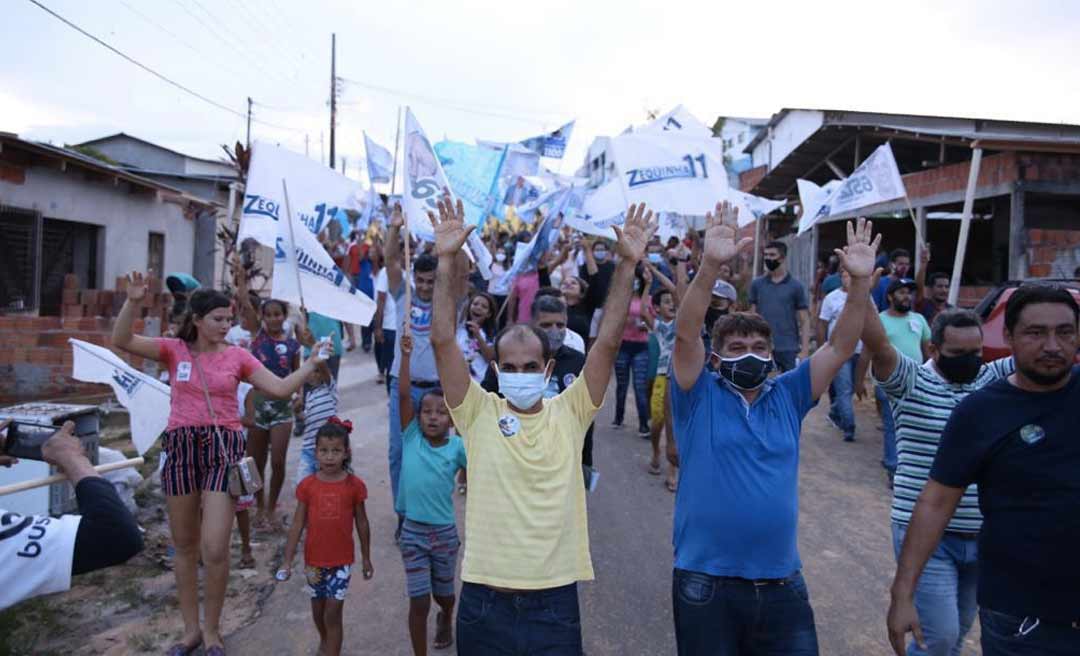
431 459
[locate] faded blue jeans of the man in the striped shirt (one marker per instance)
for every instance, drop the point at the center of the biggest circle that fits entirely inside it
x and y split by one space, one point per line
946 595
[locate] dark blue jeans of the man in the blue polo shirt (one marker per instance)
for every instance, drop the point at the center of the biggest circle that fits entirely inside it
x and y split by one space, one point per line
721 617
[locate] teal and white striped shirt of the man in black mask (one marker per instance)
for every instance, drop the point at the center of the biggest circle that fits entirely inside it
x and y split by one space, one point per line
923 403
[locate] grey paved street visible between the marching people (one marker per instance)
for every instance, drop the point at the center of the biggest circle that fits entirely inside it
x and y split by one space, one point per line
845 541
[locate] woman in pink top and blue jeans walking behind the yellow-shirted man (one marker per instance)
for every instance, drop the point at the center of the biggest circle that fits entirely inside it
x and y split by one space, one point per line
634 355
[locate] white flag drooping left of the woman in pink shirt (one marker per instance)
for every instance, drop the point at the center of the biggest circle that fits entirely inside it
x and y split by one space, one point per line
146 398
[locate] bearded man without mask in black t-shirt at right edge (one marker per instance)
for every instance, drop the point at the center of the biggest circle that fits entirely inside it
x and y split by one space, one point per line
1017 439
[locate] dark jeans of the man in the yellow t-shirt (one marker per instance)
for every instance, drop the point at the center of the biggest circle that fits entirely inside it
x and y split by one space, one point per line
538 623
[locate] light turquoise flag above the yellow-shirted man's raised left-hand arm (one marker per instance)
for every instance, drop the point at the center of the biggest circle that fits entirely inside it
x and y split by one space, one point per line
472 172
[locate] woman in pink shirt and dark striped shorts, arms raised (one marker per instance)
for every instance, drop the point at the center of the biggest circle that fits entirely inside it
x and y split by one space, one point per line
199 446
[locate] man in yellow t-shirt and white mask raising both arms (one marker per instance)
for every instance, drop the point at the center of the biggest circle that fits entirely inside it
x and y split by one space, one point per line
526 530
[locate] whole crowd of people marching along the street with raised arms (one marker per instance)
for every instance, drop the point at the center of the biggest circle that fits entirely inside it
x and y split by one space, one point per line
493 391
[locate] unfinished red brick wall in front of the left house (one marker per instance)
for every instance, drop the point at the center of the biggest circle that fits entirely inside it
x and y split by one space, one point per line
36 358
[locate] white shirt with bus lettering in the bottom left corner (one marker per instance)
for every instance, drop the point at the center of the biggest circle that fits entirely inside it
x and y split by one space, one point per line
37 555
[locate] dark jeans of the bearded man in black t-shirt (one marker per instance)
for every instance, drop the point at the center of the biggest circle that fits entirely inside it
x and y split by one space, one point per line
1006 635
